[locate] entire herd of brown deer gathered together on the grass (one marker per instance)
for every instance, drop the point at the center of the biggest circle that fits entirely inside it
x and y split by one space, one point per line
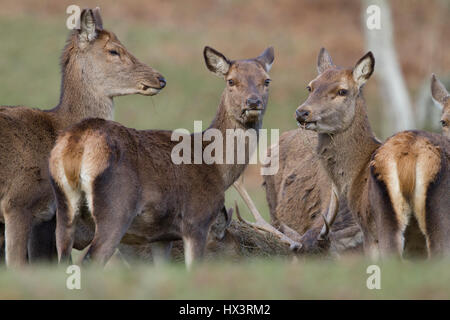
70 177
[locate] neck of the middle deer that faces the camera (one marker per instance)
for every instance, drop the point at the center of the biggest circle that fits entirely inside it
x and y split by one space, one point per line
224 121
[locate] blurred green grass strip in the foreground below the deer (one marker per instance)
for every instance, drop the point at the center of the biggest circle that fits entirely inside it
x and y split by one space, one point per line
252 279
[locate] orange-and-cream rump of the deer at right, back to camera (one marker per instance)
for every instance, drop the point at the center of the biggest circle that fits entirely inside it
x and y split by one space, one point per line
410 181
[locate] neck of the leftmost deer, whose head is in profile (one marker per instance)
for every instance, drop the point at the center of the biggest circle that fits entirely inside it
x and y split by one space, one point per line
80 98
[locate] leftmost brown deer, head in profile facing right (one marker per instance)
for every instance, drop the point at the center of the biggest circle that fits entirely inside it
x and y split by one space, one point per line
95 68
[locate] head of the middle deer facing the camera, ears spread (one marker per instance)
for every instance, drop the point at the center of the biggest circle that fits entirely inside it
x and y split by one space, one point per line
248 82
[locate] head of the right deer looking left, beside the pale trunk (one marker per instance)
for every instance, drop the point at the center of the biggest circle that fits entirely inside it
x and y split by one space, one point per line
331 105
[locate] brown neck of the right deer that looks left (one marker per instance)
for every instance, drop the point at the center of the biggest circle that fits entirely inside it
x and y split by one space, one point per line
346 155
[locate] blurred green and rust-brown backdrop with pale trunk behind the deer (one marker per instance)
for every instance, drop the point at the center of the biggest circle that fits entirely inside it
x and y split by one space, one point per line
412 43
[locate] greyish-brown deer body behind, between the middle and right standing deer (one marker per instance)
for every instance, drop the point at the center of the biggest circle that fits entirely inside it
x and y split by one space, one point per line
298 195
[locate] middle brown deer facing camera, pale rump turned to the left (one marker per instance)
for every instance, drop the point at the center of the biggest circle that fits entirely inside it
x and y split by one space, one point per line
131 185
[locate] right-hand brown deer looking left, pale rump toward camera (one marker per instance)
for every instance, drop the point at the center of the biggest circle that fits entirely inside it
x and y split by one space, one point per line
385 185
